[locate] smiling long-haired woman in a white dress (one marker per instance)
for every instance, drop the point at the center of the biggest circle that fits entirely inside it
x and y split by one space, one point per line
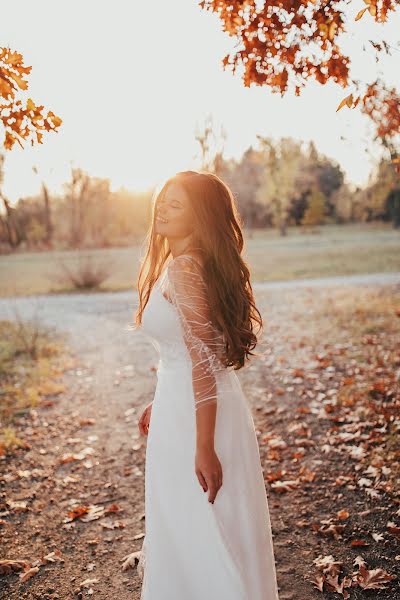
208 533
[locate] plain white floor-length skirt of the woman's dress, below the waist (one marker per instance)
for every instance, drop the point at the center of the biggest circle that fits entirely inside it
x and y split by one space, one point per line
193 549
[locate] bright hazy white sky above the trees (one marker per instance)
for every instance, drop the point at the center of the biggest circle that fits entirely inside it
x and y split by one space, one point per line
134 81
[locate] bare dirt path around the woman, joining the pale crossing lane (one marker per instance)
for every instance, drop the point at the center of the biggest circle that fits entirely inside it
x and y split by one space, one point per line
97 417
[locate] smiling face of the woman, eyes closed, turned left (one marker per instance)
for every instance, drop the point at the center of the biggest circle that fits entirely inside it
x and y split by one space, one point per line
173 217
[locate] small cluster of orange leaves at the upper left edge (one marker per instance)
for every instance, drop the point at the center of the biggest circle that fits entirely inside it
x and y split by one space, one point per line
22 120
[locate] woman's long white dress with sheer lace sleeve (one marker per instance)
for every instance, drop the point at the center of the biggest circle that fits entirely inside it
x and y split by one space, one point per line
193 549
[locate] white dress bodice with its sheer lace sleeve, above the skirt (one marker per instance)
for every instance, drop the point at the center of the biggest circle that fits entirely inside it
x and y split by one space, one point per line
179 322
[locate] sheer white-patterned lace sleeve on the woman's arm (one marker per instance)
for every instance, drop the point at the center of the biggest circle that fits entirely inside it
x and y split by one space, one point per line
205 343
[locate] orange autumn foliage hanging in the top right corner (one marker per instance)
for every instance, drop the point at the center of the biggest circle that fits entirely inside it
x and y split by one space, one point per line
286 43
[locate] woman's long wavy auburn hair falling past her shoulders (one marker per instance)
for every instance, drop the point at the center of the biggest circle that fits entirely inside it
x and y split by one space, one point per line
218 235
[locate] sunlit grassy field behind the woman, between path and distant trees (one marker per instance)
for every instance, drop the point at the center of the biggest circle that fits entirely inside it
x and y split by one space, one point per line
334 250
